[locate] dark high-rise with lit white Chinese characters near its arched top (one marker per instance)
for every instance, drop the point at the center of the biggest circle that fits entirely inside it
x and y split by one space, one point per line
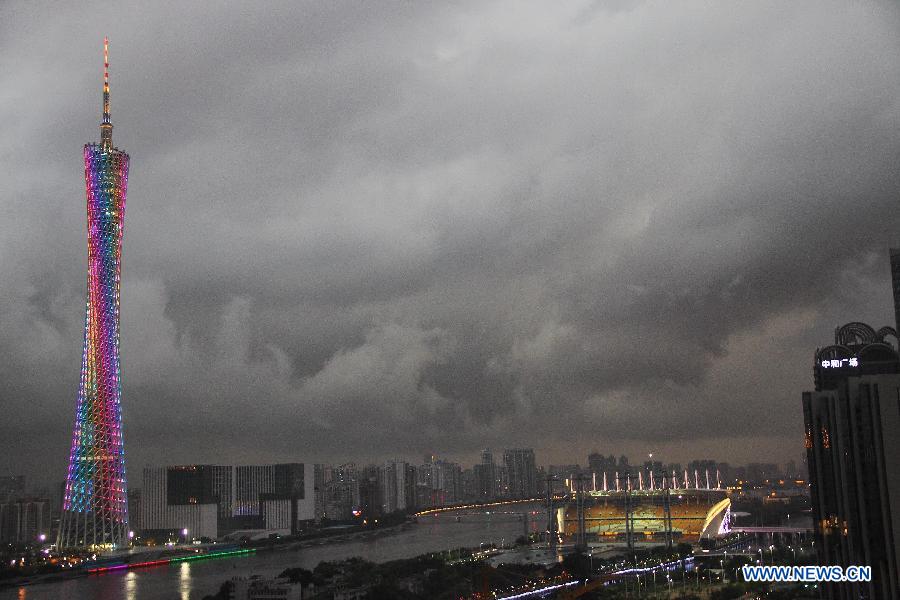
853 452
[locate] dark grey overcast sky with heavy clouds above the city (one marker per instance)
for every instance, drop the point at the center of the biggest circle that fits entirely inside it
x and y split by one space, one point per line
358 230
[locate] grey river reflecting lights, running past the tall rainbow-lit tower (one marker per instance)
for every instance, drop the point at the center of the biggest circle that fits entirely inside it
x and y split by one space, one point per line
193 580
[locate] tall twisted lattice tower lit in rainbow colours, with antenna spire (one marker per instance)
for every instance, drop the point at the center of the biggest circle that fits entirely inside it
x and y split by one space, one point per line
95 505
